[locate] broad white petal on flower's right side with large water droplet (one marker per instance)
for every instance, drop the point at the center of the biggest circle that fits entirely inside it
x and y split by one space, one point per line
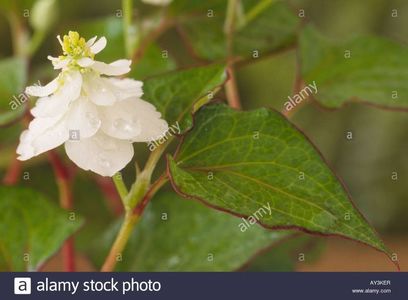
133 119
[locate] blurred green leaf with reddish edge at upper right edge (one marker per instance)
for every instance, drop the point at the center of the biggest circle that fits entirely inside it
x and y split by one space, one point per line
375 72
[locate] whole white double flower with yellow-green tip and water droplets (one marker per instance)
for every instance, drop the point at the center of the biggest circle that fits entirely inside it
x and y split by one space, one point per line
97 117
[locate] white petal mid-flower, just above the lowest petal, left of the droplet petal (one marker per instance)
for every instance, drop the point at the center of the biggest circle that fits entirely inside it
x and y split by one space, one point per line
83 116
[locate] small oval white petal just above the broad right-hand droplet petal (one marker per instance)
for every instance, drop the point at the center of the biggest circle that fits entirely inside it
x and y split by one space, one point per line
98 91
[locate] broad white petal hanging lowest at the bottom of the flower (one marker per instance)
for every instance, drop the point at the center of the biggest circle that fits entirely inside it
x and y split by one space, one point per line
100 153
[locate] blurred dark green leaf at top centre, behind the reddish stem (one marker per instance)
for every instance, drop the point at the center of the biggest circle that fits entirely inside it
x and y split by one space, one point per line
268 29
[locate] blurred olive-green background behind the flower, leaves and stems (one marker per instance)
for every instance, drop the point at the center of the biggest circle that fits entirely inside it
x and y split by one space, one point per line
365 163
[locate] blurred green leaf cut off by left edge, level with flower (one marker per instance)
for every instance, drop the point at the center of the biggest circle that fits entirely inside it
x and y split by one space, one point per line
12 81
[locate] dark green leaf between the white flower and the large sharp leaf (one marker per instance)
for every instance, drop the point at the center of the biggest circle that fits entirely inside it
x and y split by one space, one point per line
175 94
